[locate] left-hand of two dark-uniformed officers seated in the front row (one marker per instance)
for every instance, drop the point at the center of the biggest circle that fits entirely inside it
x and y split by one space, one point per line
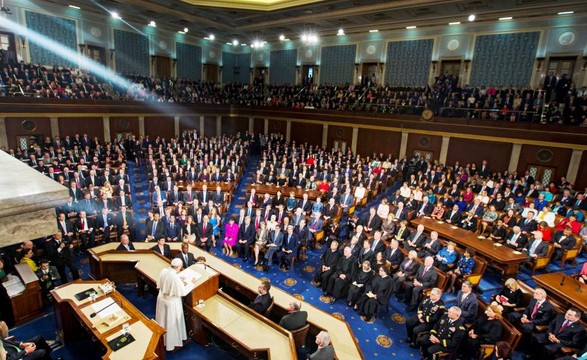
430 311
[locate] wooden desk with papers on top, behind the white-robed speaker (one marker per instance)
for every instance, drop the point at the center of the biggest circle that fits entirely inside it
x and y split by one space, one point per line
121 330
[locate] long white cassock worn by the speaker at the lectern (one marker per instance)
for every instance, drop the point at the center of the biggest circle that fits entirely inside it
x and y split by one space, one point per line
169 311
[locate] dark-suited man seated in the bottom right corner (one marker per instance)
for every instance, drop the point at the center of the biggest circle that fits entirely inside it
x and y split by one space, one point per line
565 330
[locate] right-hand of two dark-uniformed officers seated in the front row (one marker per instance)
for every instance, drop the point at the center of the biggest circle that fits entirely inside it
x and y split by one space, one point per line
446 335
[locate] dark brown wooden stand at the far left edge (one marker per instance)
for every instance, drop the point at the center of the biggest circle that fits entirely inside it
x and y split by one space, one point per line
28 303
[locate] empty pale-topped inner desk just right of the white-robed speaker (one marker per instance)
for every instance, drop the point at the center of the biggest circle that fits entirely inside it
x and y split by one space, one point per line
241 327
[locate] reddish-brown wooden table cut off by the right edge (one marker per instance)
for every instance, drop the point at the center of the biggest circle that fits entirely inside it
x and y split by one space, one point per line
566 293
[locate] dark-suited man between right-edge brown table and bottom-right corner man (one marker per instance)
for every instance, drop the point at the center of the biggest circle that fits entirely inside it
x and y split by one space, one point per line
538 312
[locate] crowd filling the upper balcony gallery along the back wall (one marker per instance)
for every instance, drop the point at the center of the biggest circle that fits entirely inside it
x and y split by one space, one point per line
558 102
